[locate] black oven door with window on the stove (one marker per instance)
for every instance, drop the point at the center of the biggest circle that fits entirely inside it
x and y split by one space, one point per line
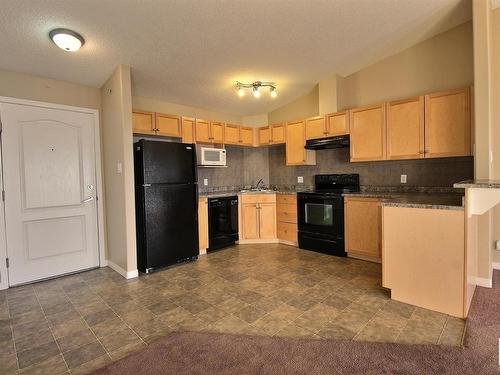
321 214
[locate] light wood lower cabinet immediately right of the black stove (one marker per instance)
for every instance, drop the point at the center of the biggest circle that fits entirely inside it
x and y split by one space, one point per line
363 227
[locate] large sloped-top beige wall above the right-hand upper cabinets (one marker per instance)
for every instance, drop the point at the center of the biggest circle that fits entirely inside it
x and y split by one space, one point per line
440 63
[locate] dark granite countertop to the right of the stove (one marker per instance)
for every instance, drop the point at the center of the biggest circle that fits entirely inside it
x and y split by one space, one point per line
434 200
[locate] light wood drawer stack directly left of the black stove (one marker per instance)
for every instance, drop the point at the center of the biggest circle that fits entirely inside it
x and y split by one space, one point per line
286 206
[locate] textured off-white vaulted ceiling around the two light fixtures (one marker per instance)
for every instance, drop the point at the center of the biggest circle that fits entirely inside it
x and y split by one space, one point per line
193 51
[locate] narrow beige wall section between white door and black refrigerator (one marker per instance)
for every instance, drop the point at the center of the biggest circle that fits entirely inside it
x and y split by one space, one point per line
119 187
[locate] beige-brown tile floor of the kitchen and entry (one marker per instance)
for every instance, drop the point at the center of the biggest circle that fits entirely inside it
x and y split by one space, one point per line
81 322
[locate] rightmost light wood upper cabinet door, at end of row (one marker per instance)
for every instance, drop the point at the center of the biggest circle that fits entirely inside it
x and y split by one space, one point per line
448 124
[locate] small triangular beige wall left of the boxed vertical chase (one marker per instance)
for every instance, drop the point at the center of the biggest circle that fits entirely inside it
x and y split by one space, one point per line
306 106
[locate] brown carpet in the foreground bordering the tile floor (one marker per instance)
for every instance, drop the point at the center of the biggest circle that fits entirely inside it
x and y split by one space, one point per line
209 353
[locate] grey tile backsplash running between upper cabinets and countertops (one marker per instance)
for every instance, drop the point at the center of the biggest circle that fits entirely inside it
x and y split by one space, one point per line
245 166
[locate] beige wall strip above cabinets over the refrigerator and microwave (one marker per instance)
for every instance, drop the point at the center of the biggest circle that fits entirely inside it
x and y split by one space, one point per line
157 105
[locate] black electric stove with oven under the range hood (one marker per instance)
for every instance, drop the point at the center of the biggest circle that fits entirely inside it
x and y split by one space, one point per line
321 213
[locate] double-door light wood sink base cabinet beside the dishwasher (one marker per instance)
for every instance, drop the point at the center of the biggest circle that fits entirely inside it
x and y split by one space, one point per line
257 218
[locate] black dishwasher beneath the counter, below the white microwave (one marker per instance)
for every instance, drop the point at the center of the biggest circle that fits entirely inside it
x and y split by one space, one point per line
222 222
